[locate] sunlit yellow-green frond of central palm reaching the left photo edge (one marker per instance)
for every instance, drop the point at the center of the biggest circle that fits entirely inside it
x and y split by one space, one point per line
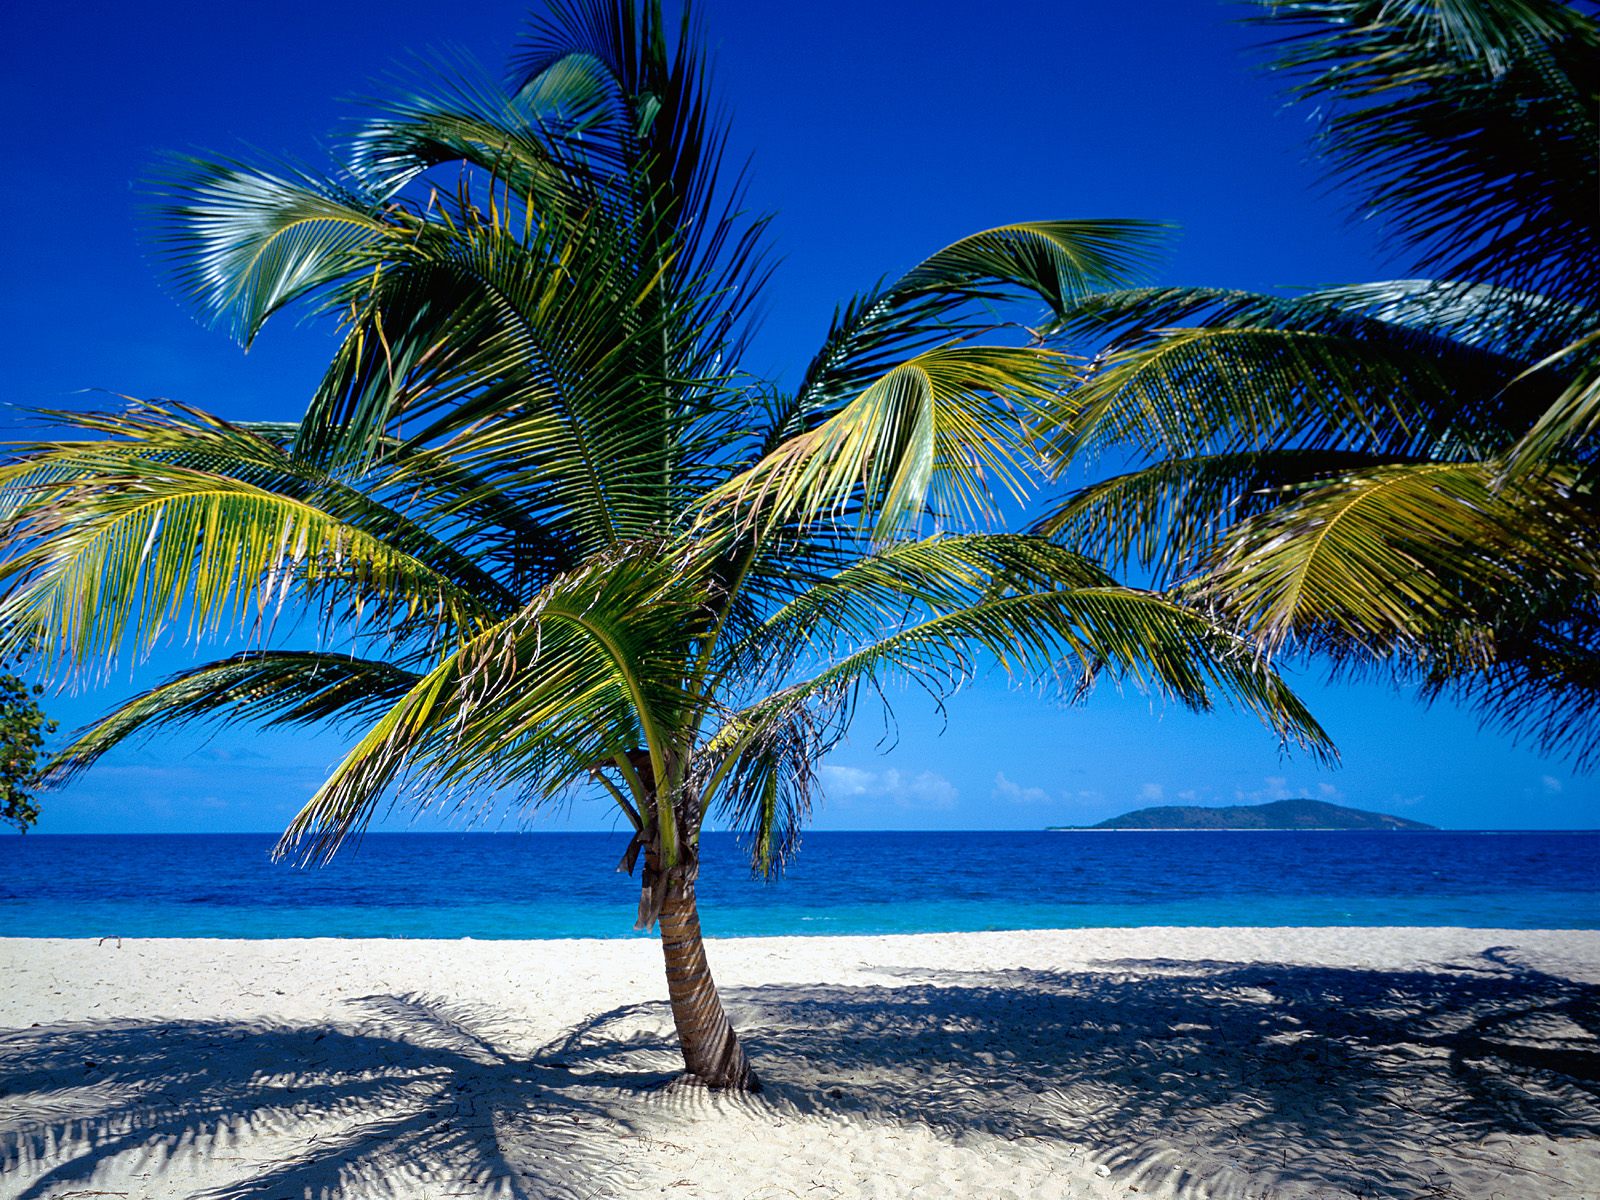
111 540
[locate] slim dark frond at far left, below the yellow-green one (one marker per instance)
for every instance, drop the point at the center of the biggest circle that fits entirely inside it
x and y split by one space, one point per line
270 687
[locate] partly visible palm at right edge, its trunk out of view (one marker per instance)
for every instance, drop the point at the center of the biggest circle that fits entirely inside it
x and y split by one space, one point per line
1394 474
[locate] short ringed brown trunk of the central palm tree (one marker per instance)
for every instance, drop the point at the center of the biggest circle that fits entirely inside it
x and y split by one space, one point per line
711 1049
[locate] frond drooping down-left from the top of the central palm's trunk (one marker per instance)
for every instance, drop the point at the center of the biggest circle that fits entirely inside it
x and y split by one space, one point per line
585 676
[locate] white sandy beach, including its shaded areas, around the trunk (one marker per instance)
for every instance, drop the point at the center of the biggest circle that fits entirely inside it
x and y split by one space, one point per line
1241 1065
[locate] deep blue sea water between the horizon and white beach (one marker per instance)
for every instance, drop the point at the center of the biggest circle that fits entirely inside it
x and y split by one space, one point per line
564 886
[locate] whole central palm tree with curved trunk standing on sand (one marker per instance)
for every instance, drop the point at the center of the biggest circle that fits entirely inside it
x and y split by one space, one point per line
554 540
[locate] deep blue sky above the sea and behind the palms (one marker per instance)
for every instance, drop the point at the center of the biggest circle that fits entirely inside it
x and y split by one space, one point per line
878 132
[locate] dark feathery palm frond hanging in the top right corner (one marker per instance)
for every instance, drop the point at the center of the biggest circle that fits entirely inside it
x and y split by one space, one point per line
1466 126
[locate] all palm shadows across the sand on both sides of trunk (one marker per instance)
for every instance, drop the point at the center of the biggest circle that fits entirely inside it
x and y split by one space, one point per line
1186 1079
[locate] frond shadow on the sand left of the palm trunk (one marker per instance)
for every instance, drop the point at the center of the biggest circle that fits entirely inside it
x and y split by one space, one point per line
406 1097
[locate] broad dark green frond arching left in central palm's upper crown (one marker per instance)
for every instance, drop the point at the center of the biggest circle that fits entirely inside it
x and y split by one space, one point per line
537 356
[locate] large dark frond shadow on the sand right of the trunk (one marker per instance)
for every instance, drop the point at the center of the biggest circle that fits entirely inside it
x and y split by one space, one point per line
1268 1074
